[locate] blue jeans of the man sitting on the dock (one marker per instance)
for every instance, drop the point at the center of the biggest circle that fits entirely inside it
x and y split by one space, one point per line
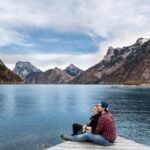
97 139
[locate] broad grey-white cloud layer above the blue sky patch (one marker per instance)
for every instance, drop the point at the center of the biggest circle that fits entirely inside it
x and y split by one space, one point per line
109 18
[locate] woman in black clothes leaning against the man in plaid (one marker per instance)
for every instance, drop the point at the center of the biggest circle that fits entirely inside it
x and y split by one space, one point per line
90 127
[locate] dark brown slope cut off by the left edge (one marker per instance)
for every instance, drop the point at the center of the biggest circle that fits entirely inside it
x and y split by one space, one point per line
7 76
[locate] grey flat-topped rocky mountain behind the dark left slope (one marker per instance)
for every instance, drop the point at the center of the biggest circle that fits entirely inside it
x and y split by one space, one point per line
23 69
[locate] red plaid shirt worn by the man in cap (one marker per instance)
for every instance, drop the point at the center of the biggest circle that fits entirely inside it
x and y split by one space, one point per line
106 127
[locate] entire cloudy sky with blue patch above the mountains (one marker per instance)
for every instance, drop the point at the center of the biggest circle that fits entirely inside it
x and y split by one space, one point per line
56 33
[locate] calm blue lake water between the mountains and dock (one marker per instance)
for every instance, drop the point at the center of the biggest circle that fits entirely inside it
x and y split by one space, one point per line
33 116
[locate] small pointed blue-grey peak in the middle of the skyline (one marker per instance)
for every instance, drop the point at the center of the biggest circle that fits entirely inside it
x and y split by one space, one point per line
73 70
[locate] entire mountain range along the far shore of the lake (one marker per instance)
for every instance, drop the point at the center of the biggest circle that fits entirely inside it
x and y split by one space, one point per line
127 65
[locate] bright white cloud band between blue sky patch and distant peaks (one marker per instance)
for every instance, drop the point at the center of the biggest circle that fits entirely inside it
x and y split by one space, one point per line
49 61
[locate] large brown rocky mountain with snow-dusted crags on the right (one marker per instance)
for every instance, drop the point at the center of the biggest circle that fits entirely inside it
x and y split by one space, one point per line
127 65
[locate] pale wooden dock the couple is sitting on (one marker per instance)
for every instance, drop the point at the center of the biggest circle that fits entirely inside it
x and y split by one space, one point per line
120 144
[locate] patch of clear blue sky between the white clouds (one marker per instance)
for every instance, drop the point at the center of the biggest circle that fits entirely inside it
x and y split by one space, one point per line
48 41
